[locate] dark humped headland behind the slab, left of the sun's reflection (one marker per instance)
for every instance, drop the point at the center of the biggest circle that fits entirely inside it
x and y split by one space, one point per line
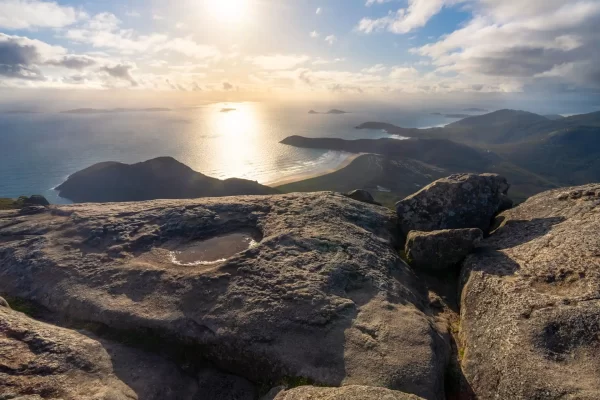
159 178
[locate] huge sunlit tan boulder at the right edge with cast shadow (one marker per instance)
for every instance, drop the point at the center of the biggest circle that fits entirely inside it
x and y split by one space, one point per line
530 312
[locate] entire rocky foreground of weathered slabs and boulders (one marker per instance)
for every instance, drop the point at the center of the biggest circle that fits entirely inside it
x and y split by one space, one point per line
318 304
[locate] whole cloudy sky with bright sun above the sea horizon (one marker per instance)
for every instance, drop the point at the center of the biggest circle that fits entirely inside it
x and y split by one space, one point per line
287 49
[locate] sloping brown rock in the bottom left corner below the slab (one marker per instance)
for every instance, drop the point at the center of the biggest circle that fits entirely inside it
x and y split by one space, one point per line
42 360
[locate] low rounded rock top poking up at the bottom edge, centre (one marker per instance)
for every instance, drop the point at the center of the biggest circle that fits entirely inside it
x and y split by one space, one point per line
344 393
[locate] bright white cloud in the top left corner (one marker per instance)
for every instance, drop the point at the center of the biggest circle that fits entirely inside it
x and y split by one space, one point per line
29 14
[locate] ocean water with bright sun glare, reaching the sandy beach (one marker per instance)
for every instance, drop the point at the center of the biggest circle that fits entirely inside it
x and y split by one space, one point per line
39 151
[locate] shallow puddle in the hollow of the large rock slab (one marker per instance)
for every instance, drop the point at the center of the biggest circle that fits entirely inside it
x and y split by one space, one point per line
213 250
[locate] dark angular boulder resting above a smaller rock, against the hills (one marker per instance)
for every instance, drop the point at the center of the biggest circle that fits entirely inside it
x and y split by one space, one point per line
458 201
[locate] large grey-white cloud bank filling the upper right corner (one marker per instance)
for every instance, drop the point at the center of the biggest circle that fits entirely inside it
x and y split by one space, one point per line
546 41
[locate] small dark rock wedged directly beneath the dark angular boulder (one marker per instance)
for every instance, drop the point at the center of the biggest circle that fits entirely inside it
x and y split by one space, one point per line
440 250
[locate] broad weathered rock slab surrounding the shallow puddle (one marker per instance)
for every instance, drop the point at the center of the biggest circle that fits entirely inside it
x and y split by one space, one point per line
323 296
